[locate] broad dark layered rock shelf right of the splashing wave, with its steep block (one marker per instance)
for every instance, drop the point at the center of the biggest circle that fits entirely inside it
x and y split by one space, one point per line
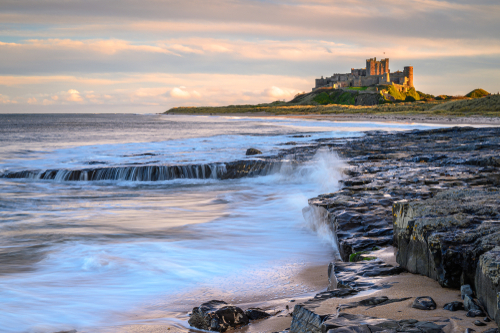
444 223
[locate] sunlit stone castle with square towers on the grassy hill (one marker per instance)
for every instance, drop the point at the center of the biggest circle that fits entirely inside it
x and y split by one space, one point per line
375 73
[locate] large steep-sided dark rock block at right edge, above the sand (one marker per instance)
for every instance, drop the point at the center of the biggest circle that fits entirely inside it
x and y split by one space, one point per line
453 238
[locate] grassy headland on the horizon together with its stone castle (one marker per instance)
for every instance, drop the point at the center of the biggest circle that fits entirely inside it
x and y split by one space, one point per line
370 91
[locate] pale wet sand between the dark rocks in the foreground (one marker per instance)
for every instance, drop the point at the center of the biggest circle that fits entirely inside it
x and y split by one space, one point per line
315 277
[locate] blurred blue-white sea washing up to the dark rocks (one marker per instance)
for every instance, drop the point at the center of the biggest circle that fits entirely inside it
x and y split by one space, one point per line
126 249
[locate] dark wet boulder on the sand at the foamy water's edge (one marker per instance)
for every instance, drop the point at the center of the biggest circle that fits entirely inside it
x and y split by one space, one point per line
217 316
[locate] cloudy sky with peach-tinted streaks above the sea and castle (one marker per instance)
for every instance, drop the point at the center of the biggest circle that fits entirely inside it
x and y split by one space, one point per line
149 56
